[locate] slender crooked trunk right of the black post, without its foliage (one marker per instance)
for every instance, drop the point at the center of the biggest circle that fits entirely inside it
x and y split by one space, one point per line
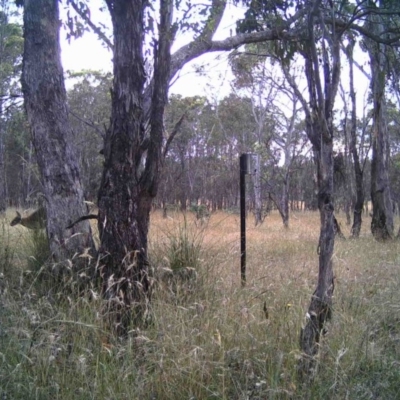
319 125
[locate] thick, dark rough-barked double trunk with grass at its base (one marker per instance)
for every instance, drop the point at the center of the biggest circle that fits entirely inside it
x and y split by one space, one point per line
132 154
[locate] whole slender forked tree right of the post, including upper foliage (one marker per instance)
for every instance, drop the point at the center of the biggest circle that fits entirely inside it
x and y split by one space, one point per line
318 47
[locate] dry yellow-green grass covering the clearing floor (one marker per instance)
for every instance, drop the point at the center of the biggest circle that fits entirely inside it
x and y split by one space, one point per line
210 339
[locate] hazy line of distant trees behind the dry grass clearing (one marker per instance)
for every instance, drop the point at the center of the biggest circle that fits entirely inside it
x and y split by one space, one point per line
202 161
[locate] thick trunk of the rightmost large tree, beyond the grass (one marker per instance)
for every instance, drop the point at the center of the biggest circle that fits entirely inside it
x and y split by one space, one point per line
382 212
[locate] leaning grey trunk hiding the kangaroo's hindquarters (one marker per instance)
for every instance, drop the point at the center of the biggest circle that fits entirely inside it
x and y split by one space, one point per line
45 103
